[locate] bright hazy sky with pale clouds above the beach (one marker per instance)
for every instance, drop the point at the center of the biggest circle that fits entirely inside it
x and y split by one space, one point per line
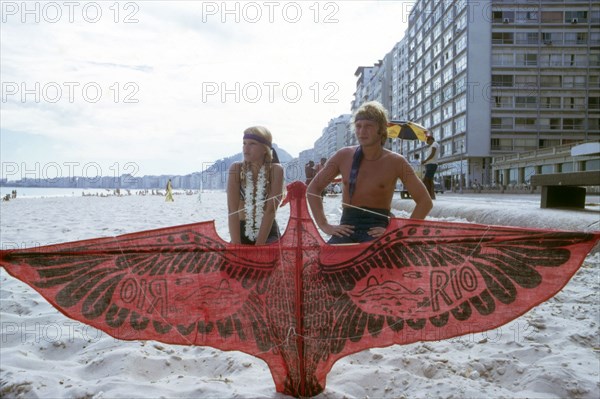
157 87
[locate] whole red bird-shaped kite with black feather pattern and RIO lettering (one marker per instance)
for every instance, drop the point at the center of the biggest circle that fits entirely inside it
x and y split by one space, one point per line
300 304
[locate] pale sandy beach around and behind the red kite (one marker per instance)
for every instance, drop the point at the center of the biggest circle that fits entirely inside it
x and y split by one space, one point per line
553 351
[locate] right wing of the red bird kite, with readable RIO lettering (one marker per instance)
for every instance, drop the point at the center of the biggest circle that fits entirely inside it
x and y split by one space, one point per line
427 281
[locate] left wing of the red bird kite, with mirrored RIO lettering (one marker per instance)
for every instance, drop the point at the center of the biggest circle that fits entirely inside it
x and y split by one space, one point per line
180 285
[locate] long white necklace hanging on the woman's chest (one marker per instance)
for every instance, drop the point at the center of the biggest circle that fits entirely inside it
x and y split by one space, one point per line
255 198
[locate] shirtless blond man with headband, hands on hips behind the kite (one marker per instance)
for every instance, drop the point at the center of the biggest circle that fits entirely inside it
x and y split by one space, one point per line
369 174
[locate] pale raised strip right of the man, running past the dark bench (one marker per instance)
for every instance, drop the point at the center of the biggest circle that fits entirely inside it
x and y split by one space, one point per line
520 210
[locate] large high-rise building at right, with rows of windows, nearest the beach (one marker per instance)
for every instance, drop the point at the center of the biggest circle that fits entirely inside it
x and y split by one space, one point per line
496 77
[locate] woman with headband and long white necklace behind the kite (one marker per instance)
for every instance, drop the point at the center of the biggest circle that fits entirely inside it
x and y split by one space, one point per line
254 190
